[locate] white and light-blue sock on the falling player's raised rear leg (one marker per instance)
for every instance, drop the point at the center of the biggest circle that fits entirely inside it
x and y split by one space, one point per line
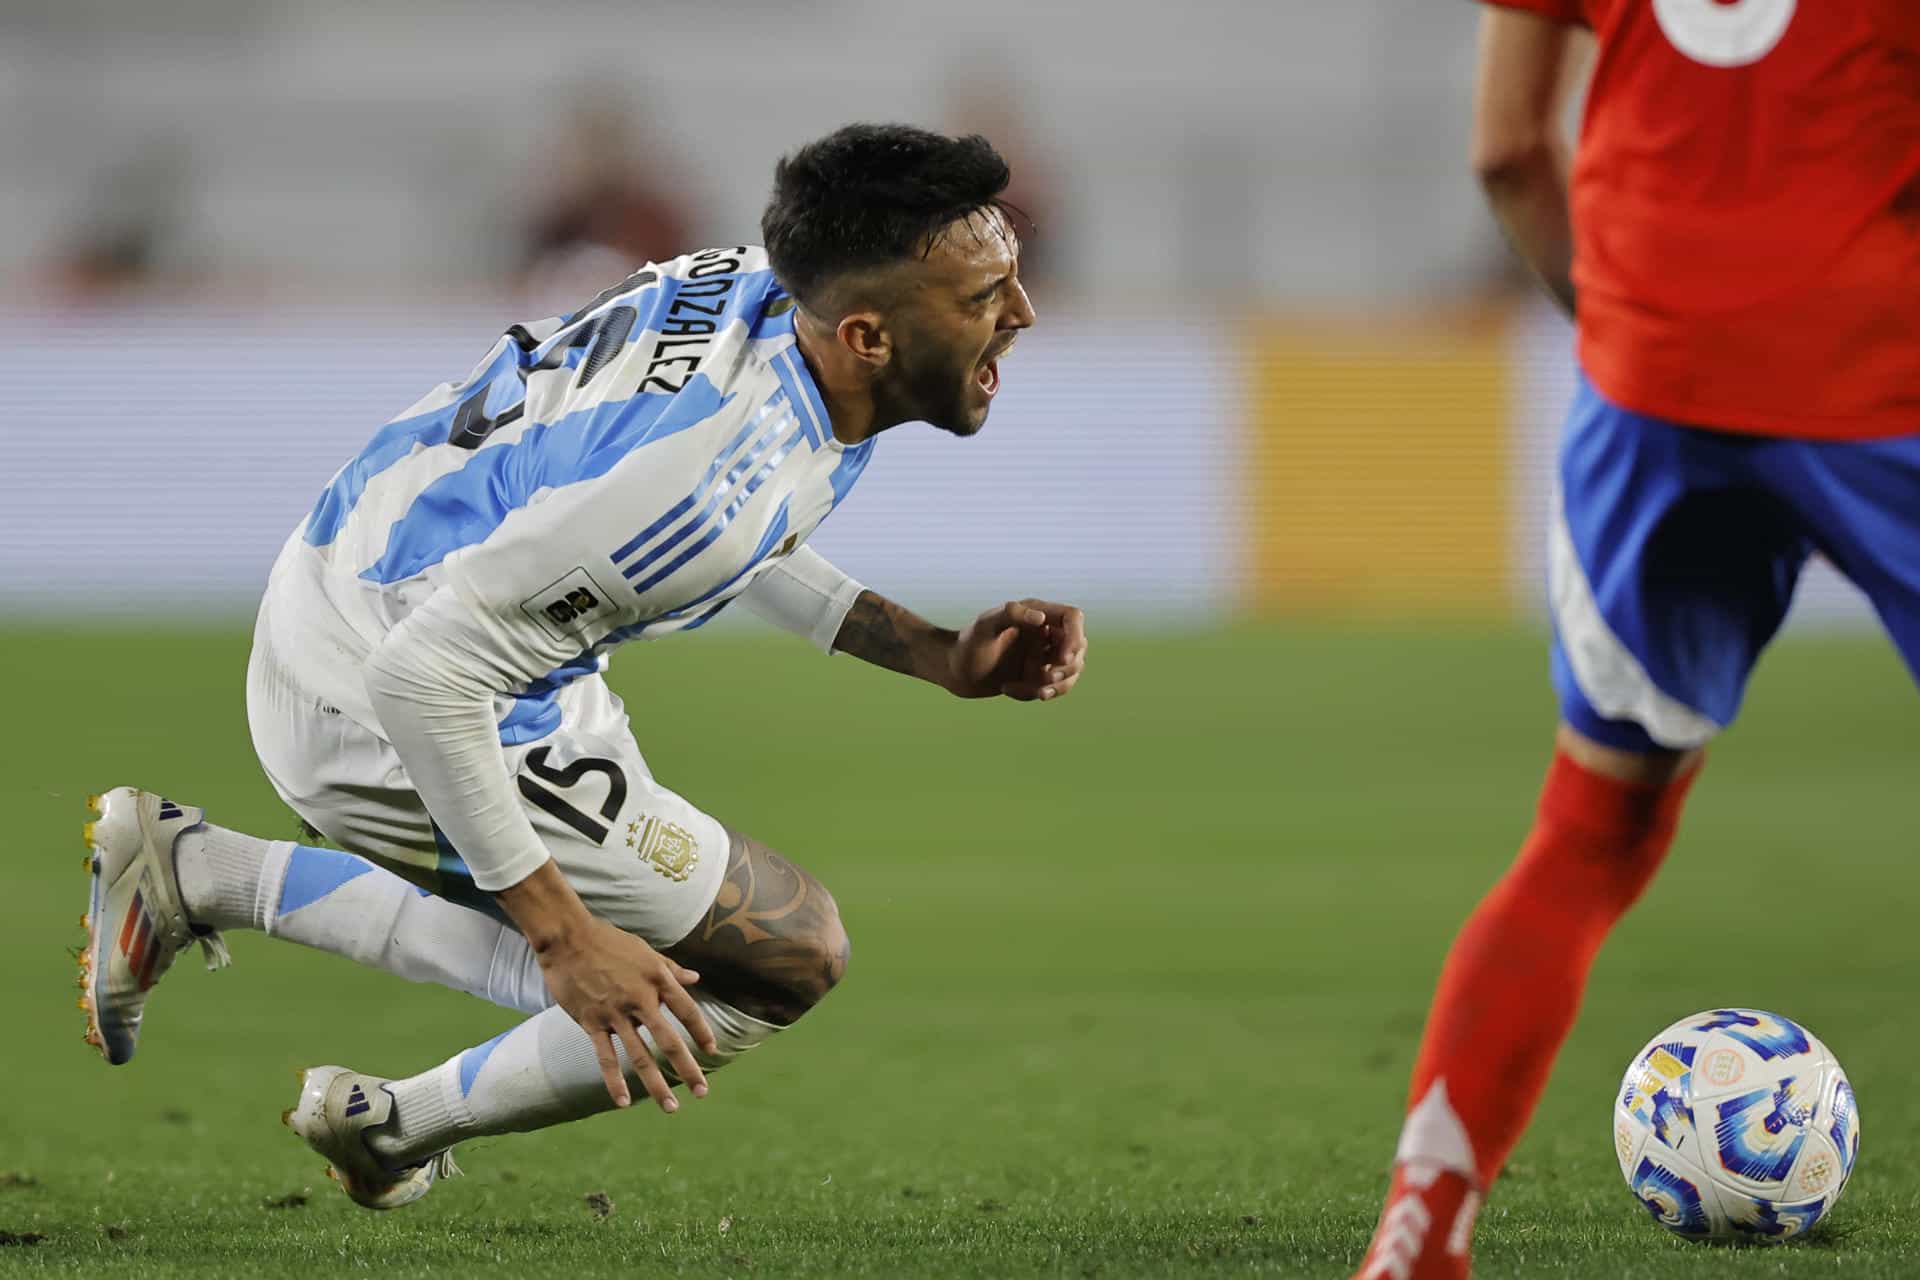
345 905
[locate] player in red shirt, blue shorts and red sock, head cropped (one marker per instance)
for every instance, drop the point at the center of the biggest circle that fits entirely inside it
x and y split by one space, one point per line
1740 247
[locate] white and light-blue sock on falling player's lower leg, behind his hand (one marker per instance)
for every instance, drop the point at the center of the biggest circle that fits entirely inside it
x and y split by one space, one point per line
537 1076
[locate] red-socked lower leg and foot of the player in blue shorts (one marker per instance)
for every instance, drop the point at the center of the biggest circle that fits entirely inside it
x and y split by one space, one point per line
1510 993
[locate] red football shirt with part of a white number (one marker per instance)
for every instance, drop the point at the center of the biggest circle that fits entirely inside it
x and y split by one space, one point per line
1746 208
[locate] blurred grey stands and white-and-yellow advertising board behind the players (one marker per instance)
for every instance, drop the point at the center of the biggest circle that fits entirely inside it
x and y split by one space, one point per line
1285 364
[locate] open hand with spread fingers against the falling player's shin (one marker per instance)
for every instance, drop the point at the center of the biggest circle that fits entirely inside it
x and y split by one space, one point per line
613 985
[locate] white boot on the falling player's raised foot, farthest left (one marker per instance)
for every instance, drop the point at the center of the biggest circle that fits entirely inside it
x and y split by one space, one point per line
135 920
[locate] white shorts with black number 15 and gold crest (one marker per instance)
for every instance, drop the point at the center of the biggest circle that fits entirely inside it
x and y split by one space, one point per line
638 855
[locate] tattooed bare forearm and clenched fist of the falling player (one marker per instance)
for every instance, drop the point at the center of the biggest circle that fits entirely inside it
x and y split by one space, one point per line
1022 650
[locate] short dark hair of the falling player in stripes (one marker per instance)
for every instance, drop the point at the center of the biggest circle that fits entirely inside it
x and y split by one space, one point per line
873 195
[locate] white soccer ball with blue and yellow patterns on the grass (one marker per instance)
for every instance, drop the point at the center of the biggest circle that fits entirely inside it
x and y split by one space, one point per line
1737 1126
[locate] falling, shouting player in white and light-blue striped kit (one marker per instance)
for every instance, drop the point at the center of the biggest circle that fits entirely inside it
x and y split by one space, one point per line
425 686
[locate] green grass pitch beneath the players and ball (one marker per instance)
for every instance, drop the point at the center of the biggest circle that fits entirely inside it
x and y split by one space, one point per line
1136 984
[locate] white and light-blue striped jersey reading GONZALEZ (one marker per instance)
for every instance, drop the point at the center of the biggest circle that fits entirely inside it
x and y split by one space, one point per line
619 473
